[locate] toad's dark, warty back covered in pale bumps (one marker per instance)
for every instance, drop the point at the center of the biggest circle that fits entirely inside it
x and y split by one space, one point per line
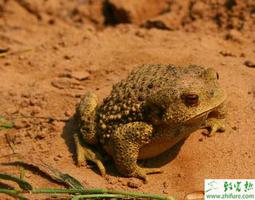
127 100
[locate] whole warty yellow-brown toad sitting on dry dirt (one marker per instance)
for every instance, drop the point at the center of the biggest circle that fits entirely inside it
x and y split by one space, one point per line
150 111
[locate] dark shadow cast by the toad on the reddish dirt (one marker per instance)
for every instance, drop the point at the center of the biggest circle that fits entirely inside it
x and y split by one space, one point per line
71 127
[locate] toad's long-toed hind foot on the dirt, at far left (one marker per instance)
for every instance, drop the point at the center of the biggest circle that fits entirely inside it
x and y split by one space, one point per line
84 153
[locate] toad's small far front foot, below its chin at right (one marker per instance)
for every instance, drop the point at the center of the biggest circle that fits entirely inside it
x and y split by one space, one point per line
214 125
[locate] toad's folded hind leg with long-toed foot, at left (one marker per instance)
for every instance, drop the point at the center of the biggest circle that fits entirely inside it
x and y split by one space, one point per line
86 114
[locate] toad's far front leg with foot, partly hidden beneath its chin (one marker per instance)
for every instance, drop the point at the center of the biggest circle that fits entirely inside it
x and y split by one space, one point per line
216 120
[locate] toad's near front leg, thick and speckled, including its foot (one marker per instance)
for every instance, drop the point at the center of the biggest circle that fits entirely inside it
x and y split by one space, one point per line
128 139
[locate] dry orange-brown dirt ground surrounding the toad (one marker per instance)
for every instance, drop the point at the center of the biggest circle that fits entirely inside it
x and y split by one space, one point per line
57 50
